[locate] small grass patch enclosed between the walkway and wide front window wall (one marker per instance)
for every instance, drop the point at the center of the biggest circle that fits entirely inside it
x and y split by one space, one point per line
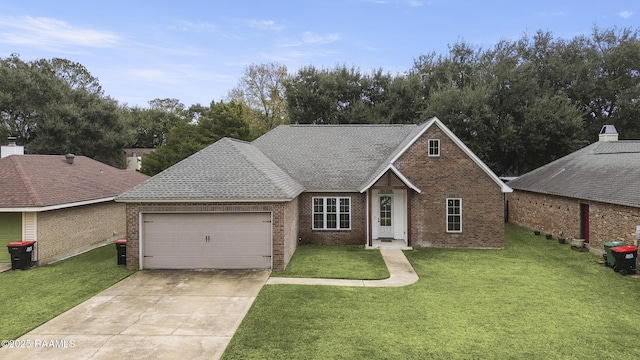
335 262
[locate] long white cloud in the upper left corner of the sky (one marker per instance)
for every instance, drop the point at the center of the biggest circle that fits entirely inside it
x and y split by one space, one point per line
51 33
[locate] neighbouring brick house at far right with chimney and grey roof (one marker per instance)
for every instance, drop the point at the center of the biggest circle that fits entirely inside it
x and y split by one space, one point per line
591 194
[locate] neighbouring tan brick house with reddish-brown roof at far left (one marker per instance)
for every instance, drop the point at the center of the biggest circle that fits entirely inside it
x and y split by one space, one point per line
65 203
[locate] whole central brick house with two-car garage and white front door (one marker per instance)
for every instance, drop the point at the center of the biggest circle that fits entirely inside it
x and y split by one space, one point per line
247 205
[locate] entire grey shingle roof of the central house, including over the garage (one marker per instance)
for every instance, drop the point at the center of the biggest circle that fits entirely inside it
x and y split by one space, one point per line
283 163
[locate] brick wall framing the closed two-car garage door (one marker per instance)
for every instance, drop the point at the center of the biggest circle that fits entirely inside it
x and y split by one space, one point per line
283 230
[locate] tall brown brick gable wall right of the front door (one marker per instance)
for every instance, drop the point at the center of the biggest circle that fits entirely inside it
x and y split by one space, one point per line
452 174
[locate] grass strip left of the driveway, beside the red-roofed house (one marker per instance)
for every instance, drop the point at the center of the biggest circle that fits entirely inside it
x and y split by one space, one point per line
31 297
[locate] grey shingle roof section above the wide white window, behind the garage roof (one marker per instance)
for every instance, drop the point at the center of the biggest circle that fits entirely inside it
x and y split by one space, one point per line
333 157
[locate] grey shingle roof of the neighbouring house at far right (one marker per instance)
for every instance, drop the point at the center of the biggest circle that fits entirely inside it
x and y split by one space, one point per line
603 171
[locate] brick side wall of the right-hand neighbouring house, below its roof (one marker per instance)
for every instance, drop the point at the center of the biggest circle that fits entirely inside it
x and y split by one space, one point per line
560 216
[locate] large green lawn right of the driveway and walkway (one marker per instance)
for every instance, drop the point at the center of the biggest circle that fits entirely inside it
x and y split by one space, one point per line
536 299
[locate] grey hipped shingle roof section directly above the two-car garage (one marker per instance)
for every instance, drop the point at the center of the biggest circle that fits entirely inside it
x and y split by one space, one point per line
228 169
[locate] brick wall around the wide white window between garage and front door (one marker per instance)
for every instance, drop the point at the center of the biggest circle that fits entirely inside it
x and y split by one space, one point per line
357 234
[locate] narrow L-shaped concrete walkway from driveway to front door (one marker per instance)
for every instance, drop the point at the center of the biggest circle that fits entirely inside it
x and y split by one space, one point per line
400 269
